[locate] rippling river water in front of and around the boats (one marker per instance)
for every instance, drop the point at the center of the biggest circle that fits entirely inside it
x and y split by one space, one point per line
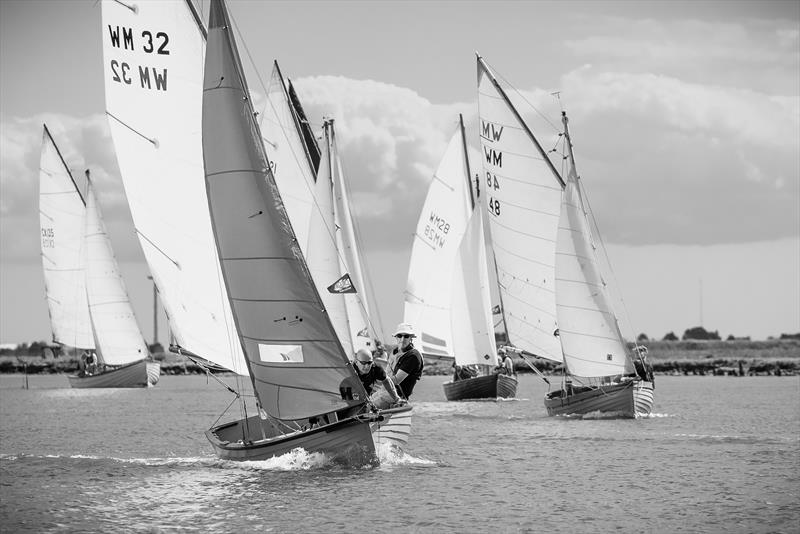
719 455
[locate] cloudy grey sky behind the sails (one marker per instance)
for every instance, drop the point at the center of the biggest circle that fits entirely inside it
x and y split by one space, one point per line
685 118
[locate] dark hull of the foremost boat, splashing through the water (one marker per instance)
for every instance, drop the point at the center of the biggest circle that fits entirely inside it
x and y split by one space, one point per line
349 441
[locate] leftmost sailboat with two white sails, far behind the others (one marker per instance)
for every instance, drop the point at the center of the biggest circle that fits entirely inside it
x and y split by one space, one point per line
88 303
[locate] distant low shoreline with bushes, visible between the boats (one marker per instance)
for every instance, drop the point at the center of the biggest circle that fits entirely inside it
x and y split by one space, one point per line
716 358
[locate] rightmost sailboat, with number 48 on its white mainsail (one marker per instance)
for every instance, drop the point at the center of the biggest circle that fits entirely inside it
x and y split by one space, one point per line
555 300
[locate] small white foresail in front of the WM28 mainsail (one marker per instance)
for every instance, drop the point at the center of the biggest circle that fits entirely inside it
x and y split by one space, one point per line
471 316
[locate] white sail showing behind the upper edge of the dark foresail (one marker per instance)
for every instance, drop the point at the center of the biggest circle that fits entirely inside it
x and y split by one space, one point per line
290 162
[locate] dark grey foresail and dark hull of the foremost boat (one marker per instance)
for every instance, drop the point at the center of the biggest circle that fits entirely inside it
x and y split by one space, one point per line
307 392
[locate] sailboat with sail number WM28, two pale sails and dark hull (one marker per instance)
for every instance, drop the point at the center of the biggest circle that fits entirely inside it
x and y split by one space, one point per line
447 292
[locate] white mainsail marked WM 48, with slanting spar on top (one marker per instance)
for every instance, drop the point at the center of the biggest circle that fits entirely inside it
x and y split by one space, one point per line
522 195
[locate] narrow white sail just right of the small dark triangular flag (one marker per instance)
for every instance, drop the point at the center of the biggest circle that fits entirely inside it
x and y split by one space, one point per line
358 316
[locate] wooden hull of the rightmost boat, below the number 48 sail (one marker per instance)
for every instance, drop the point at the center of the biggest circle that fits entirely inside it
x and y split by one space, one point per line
629 399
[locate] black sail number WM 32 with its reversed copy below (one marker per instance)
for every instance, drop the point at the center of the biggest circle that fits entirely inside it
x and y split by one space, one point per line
149 42
